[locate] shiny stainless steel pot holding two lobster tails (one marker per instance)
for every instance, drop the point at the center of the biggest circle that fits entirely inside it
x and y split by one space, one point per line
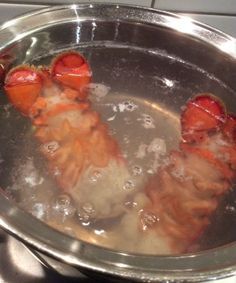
167 59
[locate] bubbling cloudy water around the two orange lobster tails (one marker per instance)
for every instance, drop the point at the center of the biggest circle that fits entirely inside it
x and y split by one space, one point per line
132 97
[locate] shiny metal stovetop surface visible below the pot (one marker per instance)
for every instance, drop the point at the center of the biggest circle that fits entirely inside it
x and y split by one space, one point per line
30 270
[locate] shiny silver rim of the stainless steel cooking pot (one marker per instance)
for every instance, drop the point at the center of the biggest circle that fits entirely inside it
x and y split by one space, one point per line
215 263
